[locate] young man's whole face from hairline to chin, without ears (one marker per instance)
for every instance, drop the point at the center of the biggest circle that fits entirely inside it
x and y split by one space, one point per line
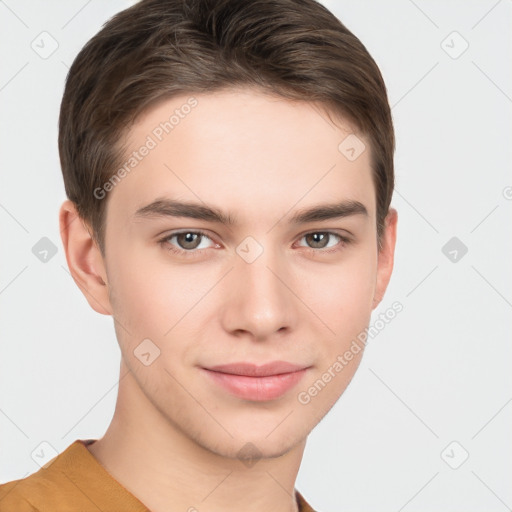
193 291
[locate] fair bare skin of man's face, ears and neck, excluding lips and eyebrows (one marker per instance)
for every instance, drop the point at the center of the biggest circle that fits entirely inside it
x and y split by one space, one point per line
175 435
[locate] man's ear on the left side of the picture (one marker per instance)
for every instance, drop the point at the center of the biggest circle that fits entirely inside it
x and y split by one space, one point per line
84 258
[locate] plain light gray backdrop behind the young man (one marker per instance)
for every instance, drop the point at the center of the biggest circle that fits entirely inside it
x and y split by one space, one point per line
438 373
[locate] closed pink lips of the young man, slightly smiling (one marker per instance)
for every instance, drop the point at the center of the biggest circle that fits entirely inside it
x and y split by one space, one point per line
257 383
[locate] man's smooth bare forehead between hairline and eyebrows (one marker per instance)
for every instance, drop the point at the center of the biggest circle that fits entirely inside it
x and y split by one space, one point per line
243 151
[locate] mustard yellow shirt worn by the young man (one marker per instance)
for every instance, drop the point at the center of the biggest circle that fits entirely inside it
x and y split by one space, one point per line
75 481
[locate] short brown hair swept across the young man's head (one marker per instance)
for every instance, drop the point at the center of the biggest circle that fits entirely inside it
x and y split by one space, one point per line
157 49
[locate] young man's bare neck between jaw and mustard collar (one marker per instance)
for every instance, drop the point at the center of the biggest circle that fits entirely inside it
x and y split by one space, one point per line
166 468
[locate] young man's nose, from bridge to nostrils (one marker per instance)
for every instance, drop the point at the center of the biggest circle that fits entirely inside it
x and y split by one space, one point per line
259 298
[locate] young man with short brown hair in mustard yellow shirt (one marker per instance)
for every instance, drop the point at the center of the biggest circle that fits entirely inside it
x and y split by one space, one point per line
229 169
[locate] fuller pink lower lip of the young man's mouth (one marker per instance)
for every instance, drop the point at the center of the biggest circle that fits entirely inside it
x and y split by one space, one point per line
258 389
